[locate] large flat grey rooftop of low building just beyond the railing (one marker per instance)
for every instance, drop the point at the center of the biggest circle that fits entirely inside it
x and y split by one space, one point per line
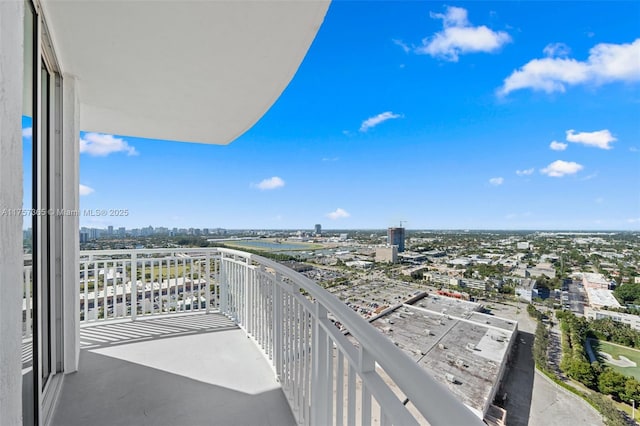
461 348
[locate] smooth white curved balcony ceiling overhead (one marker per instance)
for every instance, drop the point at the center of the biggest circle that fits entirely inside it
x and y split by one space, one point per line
195 71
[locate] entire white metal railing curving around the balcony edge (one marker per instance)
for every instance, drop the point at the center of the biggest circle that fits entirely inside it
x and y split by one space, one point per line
331 375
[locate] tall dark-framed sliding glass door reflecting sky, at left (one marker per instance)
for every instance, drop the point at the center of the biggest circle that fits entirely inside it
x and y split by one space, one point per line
42 286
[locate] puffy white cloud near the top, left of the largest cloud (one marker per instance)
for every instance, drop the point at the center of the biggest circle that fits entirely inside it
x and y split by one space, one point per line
459 37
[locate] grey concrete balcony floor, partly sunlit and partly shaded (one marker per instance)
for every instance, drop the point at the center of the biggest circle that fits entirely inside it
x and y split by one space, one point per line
190 370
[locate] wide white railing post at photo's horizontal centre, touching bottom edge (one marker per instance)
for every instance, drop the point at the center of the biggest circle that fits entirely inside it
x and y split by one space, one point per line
319 379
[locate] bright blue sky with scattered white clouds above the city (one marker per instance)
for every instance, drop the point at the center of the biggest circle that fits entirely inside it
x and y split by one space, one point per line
465 115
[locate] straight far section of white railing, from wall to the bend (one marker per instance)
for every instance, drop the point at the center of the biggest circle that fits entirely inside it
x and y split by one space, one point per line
131 283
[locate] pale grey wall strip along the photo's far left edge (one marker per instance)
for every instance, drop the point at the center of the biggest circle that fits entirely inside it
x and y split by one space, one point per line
11 259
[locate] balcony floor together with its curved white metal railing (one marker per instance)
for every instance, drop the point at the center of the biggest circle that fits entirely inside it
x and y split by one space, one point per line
219 336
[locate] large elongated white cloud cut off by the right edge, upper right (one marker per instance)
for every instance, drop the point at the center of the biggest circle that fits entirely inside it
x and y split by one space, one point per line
606 63
